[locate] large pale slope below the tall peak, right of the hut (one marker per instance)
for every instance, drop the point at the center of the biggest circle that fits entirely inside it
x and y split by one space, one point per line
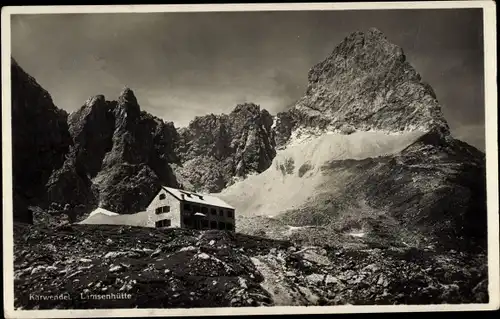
282 187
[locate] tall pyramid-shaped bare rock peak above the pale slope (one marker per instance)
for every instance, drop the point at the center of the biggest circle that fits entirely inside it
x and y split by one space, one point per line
365 84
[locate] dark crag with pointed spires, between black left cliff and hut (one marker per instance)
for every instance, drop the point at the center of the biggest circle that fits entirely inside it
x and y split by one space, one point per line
119 159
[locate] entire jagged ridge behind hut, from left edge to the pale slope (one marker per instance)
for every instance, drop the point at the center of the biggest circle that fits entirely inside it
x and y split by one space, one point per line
112 154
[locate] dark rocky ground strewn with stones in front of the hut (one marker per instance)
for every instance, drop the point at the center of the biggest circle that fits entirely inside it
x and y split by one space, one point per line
176 268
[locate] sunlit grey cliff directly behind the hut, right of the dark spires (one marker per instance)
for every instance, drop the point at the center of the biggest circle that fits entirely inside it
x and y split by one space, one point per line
215 149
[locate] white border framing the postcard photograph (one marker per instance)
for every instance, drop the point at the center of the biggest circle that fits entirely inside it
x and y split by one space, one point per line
489 25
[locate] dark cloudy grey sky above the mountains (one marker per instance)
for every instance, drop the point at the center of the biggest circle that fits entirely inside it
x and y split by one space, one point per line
185 64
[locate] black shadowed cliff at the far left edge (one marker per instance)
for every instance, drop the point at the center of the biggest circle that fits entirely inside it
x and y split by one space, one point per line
40 140
